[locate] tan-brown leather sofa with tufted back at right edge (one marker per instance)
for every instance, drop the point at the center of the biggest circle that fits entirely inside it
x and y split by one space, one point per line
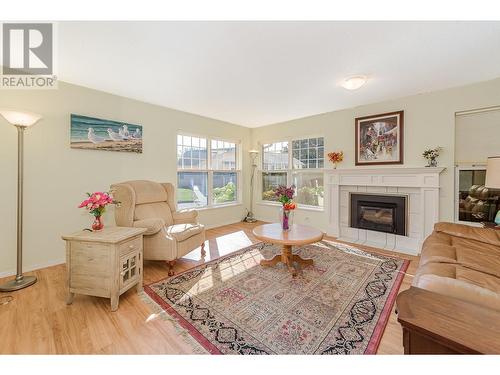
462 262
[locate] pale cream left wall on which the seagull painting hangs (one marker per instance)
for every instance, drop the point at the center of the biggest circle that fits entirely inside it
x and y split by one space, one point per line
57 177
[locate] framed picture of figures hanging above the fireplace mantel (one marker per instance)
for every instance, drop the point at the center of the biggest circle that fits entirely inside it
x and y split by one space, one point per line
379 139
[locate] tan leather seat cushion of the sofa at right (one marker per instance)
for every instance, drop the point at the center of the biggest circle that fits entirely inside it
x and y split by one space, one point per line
459 282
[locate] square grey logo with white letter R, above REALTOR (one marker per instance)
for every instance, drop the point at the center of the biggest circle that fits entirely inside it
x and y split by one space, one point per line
27 49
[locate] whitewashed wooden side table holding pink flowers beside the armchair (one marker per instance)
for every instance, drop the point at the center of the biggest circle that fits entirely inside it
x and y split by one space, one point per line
105 264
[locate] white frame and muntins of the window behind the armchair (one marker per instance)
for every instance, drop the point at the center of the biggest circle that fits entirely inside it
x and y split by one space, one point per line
210 171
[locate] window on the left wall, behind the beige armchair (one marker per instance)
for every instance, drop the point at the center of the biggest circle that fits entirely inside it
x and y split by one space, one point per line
207 172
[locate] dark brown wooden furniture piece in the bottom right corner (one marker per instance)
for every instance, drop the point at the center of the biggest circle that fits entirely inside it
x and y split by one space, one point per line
438 324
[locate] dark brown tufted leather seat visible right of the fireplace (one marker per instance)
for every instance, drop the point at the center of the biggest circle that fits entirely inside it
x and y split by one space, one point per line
479 204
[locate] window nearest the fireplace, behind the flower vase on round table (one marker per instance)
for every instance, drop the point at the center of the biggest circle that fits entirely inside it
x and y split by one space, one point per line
300 166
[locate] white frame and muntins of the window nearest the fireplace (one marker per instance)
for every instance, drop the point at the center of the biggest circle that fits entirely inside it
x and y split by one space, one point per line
290 171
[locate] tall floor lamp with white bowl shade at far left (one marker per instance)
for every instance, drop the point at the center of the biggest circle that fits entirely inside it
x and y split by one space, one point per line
22 121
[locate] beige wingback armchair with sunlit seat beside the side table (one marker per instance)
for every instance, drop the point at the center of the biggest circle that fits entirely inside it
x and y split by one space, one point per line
170 234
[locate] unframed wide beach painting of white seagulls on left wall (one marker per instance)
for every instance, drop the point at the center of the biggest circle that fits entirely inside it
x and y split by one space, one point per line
96 134
